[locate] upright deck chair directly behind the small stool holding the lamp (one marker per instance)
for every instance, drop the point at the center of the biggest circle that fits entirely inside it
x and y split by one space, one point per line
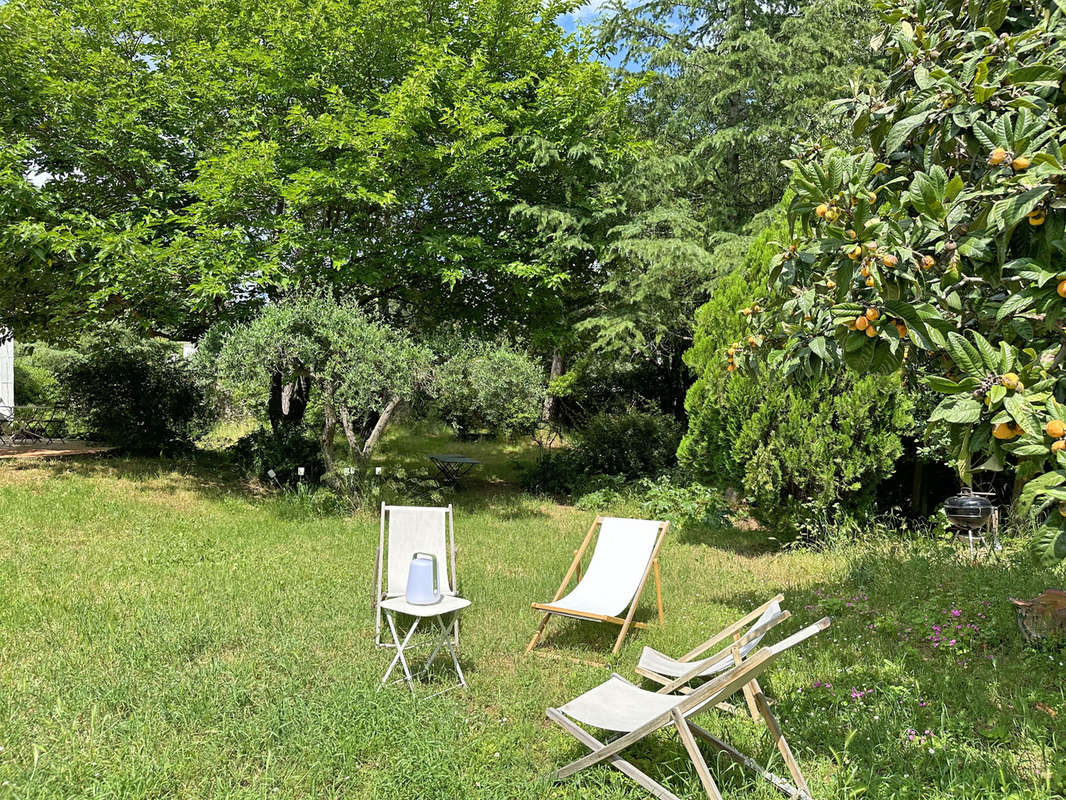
407 531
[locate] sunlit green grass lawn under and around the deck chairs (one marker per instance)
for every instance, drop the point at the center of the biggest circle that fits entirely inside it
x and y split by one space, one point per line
165 633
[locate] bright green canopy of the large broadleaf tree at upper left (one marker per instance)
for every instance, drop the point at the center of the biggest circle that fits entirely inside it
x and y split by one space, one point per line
169 164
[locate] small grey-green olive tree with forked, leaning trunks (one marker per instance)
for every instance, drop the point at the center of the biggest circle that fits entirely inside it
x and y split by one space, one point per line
361 369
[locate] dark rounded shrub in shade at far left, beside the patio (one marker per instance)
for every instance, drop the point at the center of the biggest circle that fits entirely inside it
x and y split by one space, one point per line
134 393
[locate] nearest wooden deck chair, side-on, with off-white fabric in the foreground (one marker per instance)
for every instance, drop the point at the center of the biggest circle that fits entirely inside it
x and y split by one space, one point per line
634 713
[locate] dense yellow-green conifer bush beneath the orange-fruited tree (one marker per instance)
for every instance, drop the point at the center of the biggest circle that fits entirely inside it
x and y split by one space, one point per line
803 453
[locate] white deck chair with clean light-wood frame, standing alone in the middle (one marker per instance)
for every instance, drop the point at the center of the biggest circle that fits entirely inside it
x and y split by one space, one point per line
626 552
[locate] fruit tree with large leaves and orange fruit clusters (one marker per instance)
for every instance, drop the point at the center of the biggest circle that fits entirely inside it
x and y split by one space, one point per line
939 247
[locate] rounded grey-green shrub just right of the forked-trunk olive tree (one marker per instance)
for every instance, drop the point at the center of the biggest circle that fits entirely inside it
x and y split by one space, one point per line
487 387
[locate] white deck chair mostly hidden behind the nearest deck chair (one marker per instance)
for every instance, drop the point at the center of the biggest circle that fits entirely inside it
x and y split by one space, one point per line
676 674
